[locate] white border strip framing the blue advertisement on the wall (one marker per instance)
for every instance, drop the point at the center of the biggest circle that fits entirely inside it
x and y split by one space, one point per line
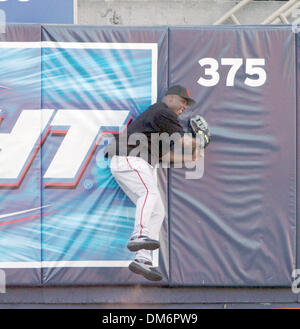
86 45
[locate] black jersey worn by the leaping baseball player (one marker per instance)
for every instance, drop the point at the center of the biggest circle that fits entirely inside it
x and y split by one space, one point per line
143 136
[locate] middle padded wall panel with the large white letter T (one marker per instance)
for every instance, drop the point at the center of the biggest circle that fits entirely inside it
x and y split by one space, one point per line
93 87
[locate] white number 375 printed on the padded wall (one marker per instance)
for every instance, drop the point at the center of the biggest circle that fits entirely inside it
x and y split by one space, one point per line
253 67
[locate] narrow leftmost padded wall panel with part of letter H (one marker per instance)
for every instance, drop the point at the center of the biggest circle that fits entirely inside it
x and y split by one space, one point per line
21 131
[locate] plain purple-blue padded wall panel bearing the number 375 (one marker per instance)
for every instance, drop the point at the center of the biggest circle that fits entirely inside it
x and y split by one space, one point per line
236 226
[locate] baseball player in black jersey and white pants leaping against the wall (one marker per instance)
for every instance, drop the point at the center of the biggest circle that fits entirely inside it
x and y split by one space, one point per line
135 173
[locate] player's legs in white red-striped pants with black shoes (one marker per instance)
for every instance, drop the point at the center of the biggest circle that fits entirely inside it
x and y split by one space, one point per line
136 179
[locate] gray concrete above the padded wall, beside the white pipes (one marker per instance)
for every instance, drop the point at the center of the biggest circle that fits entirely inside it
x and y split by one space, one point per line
169 12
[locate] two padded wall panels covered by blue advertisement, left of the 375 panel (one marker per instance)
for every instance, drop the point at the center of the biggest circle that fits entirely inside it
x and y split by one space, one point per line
68 217
